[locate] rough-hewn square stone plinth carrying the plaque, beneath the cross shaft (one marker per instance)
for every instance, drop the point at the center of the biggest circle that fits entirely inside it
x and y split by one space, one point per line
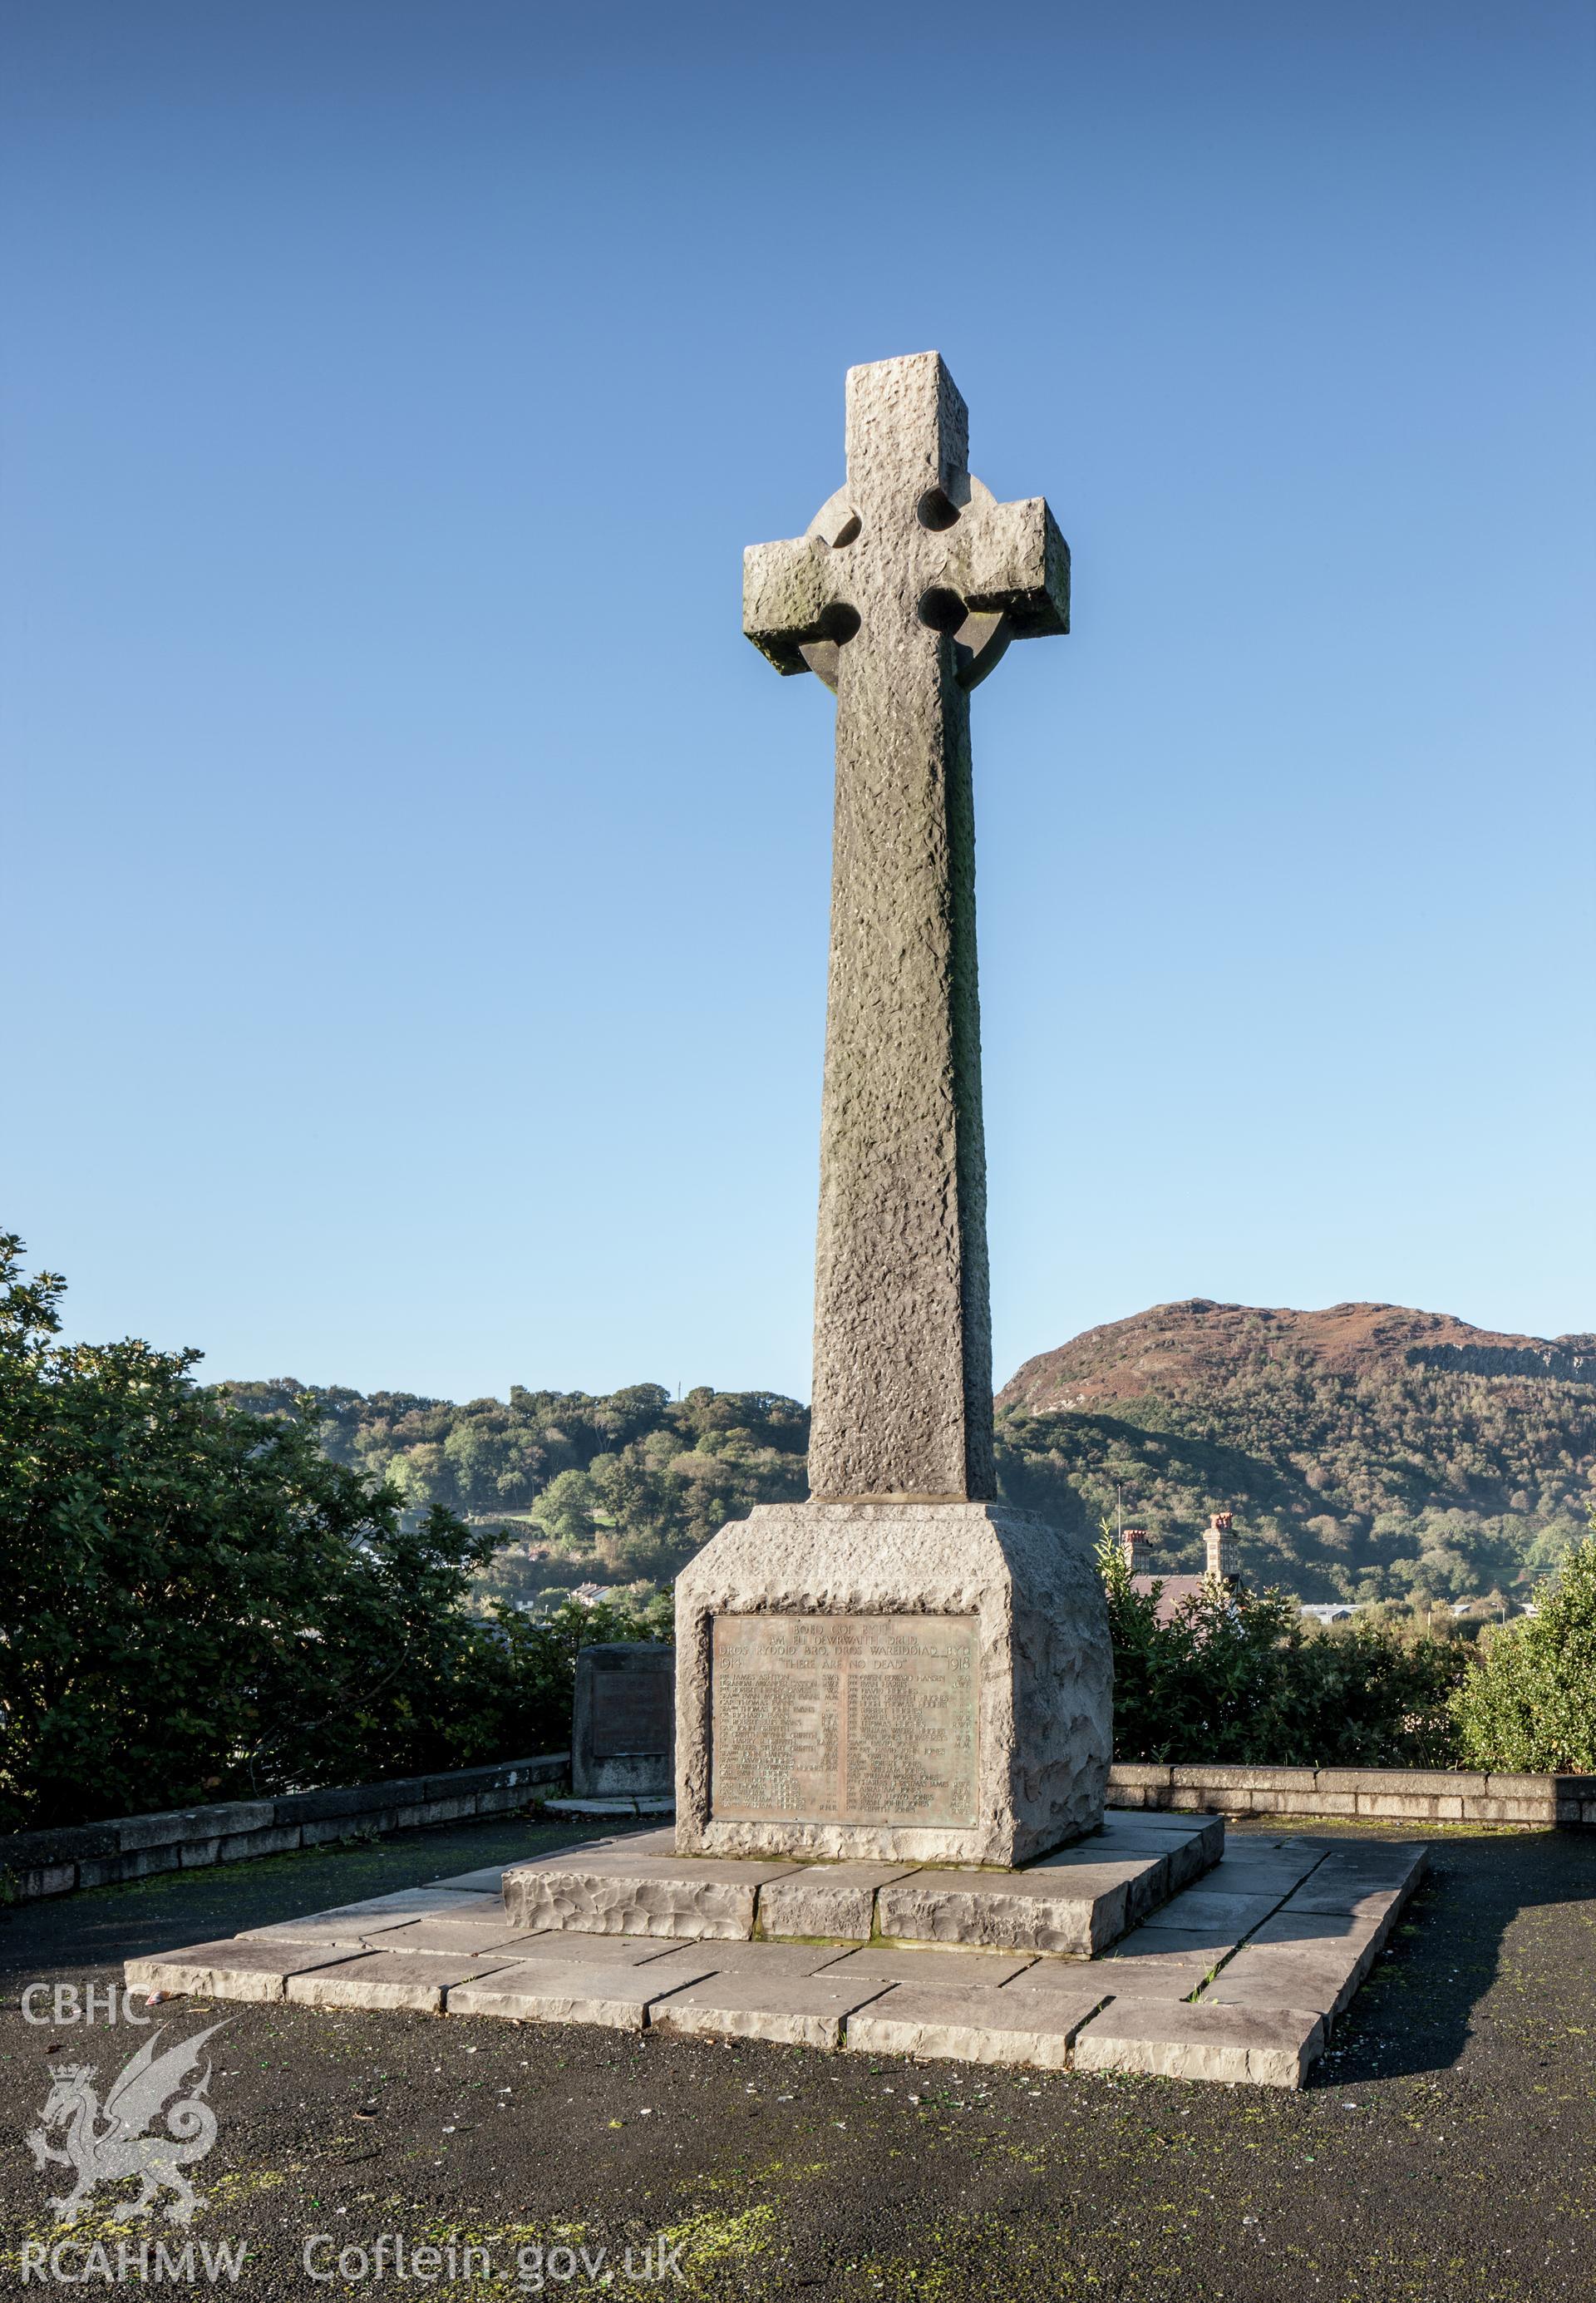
890 1682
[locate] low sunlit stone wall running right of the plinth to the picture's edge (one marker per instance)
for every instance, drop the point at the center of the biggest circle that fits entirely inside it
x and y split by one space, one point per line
1381 1793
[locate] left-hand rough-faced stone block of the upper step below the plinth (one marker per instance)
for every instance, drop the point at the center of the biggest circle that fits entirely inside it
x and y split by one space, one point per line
611 1892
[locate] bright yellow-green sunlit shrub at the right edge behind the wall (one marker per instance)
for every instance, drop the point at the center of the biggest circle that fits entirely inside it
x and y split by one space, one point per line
1528 1701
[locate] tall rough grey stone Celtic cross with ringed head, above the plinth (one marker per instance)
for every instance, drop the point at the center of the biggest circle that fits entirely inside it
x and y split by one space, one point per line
902 598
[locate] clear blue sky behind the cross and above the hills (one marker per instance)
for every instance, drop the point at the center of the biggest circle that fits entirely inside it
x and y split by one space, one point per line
420 888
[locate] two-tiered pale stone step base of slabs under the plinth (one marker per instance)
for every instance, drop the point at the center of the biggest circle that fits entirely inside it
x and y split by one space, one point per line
1245 1993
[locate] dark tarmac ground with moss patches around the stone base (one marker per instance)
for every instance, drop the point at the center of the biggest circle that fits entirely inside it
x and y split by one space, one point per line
1445 2154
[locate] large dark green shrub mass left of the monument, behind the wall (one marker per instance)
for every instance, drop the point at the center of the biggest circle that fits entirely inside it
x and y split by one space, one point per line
199 1604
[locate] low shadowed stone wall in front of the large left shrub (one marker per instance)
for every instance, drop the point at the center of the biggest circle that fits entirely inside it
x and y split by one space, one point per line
135 1846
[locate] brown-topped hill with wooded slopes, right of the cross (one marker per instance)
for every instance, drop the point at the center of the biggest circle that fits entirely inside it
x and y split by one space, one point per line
1369 1452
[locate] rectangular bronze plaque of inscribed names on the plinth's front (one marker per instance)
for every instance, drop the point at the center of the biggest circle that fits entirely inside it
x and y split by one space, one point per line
844 1719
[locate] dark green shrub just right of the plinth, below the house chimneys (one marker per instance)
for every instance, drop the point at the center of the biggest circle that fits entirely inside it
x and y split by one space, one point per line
1240 1678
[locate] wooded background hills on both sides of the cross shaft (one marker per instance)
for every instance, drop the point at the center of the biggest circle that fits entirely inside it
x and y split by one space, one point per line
1367 1452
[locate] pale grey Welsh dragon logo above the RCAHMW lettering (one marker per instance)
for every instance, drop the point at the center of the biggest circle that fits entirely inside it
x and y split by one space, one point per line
109 2145
